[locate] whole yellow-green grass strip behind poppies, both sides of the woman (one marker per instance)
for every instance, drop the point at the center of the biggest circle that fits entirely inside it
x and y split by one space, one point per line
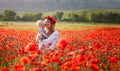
59 25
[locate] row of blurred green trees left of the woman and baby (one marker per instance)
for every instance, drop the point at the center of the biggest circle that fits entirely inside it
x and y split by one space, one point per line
10 15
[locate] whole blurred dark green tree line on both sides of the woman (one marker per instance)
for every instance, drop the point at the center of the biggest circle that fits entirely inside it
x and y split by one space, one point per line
85 16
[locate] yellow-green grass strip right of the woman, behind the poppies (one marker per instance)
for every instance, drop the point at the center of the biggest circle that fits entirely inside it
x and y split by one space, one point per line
79 26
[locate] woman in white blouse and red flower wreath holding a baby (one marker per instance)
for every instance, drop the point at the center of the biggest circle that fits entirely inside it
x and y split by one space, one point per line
52 34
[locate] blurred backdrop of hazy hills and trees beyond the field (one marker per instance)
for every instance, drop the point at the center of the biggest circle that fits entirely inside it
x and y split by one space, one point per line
65 11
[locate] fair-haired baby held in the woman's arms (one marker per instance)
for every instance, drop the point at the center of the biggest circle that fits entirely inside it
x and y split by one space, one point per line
41 32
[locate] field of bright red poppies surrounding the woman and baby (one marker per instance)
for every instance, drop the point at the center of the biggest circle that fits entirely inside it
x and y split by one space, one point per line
95 49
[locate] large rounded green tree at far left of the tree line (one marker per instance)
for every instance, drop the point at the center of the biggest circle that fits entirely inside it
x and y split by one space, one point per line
9 15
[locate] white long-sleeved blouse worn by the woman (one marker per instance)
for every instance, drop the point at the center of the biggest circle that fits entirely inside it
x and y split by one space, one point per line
53 38
